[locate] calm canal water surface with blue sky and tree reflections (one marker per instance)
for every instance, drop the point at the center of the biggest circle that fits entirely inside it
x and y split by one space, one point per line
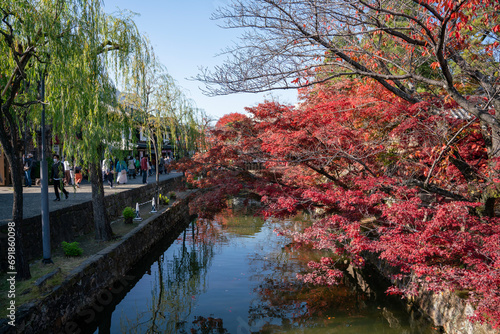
234 274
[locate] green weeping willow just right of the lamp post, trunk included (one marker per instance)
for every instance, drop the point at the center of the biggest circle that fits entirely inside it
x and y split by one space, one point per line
88 119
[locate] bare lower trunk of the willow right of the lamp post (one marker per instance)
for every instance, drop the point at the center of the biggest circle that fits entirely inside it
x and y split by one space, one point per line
102 226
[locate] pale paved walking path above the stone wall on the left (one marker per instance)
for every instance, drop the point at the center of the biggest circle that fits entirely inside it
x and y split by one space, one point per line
32 197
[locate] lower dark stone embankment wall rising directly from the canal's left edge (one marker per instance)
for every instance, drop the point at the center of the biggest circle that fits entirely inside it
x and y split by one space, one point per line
99 277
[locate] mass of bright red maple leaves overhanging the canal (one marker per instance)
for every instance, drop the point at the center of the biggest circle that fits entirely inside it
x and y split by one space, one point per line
383 177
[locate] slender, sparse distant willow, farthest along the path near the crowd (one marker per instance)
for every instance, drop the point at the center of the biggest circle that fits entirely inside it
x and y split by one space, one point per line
163 110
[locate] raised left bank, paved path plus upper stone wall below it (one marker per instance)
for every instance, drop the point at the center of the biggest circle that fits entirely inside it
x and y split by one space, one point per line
73 217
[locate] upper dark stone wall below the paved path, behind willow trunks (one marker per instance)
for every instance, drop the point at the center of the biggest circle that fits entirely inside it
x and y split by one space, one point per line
69 223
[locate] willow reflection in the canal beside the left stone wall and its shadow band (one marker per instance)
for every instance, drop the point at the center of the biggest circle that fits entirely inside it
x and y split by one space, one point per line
179 279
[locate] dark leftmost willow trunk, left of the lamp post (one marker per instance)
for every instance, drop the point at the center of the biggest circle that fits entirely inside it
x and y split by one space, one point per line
22 266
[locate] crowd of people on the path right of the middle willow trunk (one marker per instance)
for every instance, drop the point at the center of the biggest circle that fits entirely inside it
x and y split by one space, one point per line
131 167
